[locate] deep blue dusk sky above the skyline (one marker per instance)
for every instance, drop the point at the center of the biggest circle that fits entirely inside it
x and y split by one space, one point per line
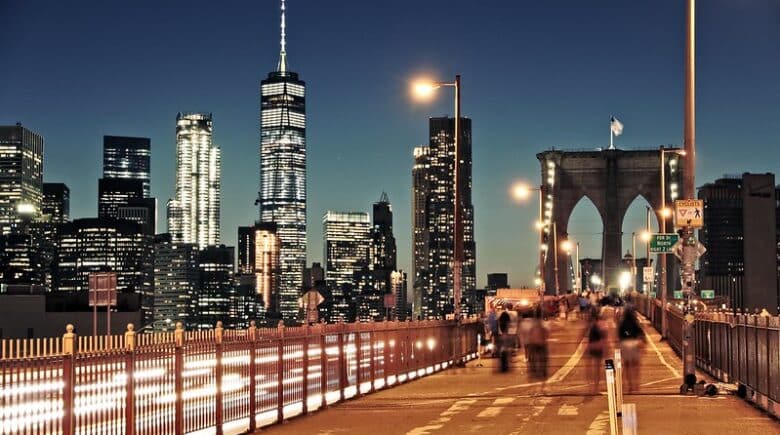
535 75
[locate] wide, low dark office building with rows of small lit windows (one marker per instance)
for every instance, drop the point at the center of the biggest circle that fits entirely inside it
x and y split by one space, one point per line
106 245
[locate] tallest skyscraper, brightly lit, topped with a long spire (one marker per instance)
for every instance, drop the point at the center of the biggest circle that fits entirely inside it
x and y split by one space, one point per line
282 196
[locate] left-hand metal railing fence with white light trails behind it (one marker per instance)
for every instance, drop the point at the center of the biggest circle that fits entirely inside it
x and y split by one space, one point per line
218 381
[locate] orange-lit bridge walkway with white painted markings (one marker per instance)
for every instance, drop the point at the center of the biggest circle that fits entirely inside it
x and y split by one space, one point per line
480 399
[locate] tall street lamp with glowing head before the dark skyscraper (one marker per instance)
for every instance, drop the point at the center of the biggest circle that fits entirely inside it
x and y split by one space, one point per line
425 89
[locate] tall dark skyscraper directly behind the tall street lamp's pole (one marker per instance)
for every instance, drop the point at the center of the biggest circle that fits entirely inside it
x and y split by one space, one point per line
433 217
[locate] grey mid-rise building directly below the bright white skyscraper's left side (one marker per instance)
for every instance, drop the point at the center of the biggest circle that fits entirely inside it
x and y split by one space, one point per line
176 282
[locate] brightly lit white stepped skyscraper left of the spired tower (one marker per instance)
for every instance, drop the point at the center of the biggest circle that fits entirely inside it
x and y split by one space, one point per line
193 215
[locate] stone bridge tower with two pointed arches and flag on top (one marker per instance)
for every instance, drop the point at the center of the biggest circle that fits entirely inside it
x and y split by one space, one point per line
611 179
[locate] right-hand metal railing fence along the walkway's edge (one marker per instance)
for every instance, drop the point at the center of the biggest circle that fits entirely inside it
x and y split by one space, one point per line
737 348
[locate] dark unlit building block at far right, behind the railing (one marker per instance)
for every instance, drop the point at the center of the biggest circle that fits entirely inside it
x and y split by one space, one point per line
741 236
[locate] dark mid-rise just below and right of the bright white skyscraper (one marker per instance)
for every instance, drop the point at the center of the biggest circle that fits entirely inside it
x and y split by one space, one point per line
214 298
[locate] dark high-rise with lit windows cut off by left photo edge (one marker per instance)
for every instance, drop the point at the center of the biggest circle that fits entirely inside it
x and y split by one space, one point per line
21 175
